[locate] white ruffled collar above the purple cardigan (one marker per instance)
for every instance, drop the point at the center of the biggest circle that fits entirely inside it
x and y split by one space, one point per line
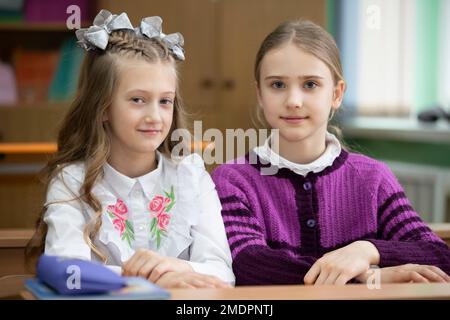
332 151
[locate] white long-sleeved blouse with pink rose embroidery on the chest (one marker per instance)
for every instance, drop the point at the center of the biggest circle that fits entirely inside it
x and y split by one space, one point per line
173 210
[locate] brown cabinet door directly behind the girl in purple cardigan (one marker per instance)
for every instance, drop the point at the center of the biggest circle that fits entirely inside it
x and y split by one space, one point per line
242 26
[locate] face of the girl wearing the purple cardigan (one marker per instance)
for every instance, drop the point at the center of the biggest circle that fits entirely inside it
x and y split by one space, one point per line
296 92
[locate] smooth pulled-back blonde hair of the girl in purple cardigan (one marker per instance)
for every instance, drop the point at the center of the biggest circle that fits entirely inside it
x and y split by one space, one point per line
309 37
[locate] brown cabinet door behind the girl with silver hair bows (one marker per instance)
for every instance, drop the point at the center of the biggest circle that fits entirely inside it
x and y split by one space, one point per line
195 19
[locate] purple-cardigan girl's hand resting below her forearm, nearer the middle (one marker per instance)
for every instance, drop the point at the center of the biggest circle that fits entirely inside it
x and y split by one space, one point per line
341 265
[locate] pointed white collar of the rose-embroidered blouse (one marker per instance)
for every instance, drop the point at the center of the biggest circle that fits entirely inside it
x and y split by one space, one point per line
123 184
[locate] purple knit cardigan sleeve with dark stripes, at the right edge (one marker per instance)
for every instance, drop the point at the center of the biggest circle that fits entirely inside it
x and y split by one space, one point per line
402 236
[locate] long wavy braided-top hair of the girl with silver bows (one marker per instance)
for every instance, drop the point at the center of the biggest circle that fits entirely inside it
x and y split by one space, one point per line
82 136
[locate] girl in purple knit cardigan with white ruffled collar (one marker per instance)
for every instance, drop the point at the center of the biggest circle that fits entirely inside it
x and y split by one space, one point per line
324 215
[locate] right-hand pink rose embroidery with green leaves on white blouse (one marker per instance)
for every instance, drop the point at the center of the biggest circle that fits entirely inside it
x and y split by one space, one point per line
160 207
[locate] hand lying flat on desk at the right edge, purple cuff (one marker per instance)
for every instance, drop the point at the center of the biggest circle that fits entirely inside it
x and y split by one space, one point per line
408 273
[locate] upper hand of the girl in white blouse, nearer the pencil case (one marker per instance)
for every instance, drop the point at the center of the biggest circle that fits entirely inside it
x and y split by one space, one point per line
150 265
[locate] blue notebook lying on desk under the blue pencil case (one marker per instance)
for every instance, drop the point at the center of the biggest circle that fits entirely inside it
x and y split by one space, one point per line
135 289
